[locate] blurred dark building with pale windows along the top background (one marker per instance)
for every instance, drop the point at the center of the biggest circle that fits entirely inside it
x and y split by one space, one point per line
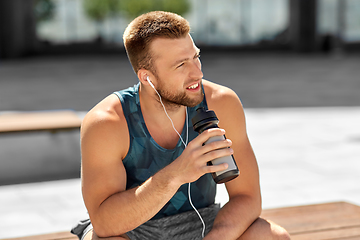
304 26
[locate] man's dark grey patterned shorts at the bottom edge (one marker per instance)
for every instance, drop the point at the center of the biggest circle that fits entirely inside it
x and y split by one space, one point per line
181 226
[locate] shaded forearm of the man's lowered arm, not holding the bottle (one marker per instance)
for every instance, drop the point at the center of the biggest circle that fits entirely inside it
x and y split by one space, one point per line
235 217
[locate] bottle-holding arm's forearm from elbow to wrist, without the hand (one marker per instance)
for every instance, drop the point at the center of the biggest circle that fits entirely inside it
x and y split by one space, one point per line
126 210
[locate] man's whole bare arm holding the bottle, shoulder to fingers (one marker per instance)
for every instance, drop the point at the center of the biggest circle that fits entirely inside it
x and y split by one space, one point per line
114 210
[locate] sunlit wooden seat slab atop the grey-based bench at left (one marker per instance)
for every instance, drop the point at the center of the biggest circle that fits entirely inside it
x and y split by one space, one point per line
39 121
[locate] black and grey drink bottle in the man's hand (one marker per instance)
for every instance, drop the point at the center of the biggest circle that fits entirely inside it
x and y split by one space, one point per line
207 119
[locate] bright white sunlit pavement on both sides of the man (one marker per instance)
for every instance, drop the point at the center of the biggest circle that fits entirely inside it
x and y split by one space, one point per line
305 156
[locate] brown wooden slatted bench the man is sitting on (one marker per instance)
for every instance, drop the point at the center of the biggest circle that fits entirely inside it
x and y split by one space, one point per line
335 221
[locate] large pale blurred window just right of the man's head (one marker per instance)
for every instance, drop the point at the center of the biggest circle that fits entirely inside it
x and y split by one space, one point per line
238 22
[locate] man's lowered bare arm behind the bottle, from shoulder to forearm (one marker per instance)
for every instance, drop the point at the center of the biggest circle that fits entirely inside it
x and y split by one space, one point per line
244 204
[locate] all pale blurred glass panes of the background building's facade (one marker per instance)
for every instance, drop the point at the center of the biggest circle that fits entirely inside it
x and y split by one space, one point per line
213 22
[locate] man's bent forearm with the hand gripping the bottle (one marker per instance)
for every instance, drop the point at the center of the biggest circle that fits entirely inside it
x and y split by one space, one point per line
126 210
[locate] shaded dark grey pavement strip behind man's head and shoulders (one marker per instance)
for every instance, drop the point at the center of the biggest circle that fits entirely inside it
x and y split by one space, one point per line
262 80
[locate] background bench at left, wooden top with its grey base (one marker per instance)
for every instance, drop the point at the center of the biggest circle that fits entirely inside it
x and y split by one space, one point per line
48 143
